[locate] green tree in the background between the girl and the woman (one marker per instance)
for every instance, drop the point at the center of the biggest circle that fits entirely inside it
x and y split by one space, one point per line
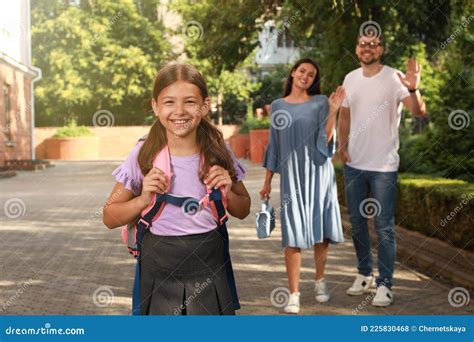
220 40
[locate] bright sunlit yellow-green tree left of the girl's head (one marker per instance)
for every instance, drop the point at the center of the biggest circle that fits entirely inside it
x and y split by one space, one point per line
99 55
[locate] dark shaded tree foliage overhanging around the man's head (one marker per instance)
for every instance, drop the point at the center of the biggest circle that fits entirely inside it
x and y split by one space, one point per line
331 42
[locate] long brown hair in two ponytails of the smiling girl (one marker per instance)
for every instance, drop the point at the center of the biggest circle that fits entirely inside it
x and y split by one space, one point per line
209 138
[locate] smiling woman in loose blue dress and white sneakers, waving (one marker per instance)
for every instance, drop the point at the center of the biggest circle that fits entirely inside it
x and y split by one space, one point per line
301 144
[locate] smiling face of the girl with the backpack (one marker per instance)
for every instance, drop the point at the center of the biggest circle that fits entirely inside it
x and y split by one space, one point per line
180 107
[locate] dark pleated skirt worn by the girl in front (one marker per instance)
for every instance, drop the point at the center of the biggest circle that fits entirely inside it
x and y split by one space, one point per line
184 275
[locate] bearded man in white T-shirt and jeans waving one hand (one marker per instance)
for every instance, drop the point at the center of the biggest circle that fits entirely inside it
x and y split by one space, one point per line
368 146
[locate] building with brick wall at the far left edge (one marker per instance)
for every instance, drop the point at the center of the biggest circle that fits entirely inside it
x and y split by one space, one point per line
17 77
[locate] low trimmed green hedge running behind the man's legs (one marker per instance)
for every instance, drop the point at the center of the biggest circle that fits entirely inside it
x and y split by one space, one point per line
436 207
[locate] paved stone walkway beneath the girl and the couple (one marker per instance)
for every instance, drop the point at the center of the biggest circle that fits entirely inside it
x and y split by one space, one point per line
57 258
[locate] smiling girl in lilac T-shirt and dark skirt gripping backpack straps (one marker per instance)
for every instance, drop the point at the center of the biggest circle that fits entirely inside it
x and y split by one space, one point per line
183 268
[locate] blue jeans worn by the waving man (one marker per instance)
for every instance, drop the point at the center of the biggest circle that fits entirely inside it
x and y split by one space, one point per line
372 193
